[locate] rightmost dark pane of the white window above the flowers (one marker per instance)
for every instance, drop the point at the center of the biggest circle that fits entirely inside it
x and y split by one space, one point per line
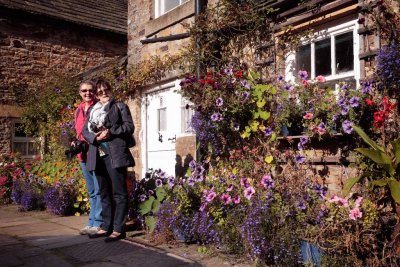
344 52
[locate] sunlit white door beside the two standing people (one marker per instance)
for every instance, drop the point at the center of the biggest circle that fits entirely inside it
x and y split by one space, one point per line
163 124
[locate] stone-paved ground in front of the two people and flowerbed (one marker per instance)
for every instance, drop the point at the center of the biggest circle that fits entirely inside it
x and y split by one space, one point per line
41 239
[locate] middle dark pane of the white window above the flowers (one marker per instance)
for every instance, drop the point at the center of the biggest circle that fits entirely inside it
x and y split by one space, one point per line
323 57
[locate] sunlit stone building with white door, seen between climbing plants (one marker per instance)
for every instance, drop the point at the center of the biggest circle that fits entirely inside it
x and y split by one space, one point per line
155 27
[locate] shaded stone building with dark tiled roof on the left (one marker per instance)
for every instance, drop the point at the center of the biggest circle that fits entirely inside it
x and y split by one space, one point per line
42 38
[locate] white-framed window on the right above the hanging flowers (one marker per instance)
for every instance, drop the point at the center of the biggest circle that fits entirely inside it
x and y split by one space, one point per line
332 53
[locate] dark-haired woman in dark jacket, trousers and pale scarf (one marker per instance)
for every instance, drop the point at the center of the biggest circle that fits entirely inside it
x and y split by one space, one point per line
108 130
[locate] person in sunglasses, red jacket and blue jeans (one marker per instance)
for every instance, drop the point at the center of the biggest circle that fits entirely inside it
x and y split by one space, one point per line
86 91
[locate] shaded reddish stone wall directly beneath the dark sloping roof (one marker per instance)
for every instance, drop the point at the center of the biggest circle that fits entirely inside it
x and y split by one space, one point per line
33 48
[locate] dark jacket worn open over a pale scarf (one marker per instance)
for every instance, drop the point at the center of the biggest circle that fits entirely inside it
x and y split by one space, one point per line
119 122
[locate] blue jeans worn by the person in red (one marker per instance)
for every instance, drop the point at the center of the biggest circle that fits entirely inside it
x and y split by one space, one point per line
95 214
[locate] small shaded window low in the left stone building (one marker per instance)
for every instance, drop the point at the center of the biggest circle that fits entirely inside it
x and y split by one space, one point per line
22 143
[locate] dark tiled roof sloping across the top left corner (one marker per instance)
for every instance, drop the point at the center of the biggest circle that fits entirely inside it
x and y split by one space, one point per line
110 15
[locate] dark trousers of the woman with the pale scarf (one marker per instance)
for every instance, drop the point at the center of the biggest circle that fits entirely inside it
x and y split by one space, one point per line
114 194
